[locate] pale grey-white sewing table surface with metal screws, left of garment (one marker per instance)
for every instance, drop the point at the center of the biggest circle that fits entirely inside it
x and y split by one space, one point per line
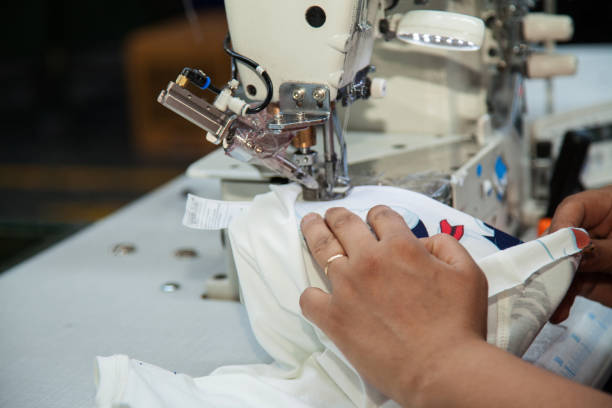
78 300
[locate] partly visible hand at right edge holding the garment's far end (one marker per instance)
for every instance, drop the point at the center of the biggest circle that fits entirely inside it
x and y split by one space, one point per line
591 210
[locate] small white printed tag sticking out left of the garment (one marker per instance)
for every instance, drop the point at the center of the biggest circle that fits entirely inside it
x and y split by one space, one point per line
206 214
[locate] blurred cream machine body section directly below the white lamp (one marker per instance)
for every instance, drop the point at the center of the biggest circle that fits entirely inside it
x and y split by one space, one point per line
429 91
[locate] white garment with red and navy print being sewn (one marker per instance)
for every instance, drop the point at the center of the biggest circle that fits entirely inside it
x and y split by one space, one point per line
526 280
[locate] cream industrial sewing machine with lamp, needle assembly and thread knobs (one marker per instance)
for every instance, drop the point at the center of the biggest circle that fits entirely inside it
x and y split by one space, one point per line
303 104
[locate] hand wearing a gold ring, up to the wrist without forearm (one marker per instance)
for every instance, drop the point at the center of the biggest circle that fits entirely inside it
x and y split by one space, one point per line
402 310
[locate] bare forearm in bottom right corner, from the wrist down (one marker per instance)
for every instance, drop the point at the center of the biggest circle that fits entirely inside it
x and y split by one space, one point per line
481 375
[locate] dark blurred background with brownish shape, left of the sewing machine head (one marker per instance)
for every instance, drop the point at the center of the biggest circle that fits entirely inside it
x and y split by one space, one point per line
81 131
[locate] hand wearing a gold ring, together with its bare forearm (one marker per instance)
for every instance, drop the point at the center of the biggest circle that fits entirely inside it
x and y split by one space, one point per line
410 315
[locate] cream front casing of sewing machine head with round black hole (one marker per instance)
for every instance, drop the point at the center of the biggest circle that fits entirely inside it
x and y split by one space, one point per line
279 36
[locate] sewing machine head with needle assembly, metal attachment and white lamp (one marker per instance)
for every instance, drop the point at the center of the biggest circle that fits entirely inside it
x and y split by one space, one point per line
293 64
